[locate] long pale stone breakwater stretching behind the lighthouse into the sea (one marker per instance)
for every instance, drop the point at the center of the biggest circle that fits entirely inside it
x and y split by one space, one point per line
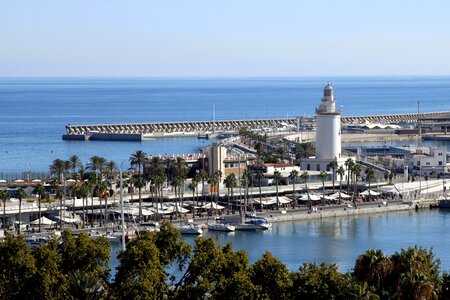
158 129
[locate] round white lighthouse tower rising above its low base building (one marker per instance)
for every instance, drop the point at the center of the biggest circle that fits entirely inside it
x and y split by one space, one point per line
328 123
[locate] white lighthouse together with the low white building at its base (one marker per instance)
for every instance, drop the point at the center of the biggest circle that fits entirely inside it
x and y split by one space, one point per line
328 135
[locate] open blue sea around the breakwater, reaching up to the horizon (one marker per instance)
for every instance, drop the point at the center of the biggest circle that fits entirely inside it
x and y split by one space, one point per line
34 111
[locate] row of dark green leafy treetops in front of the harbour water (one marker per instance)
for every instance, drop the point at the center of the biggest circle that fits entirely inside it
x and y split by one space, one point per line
76 267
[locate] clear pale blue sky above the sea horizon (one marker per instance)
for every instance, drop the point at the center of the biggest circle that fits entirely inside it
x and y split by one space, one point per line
163 38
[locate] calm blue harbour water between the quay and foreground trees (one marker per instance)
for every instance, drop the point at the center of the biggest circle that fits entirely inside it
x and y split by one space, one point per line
341 240
